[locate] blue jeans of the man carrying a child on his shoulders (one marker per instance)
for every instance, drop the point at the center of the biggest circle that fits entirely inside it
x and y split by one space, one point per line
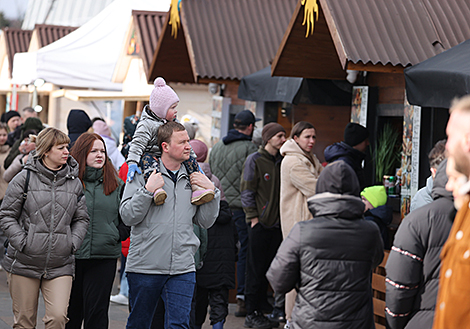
145 291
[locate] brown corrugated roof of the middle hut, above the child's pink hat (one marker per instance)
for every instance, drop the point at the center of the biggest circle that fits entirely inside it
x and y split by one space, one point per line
222 39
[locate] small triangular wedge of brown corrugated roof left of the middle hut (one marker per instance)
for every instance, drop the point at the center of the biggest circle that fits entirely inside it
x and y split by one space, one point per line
149 27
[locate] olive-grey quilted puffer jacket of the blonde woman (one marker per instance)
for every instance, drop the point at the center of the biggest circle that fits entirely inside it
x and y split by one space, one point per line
50 226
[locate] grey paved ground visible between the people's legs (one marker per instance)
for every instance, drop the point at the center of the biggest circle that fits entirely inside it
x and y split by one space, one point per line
117 313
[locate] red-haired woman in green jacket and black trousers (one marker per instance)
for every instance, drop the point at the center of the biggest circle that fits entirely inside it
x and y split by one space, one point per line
96 259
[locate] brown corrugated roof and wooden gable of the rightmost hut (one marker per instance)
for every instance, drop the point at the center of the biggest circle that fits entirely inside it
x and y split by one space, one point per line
375 35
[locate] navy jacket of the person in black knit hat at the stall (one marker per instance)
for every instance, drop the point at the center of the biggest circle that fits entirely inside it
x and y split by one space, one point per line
353 157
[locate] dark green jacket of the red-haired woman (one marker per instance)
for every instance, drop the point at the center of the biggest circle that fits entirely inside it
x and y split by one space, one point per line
102 239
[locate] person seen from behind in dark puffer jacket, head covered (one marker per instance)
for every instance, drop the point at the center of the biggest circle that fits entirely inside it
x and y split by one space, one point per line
329 259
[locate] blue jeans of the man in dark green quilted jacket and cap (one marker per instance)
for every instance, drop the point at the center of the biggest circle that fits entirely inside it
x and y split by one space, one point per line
242 230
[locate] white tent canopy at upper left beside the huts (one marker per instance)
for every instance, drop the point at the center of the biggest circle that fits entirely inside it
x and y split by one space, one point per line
85 58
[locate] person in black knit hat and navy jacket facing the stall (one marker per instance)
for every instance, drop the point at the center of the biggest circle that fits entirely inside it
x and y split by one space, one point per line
352 150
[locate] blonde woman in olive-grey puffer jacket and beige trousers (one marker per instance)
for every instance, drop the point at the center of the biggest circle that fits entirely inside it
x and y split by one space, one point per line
44 230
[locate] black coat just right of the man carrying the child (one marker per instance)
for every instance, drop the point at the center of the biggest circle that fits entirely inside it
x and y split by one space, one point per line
218 269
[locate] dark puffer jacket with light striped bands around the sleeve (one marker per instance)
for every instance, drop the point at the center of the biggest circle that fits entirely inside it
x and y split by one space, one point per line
413 265
